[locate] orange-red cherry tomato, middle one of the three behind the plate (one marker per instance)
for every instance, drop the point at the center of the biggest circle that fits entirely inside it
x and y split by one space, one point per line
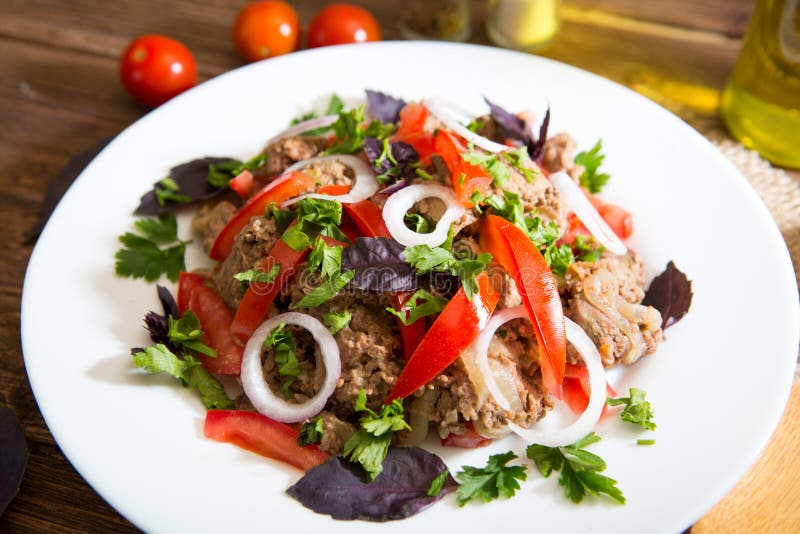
266 29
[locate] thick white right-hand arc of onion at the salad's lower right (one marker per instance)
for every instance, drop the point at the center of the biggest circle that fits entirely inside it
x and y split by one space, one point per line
597 396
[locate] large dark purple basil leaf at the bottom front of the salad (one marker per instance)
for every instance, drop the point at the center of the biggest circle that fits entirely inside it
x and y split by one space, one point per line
337 487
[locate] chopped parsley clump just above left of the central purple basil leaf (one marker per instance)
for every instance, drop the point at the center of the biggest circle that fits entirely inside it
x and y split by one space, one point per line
315 217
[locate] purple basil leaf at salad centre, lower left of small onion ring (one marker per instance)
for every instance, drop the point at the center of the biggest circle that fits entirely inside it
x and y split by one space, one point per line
379 265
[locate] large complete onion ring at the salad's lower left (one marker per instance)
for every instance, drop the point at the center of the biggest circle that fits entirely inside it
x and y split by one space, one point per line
256 387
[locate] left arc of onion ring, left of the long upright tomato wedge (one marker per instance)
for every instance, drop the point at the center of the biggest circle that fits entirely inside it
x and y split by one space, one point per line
506 396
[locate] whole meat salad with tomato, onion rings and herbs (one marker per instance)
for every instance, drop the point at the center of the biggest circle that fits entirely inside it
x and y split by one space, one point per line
399 270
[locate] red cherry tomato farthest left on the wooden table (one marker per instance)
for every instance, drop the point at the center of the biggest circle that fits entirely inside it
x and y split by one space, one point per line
155 68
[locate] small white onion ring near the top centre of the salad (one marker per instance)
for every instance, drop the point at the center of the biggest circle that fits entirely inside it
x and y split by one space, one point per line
396 206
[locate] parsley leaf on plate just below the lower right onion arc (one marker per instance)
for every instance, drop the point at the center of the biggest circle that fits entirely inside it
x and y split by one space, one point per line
580 469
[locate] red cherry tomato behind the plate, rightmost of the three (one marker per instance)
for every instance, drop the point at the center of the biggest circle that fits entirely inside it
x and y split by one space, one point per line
342 24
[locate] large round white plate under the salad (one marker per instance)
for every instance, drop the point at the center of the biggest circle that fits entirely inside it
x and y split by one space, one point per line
718 384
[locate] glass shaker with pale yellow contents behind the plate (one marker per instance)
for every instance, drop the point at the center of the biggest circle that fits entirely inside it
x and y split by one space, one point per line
527 25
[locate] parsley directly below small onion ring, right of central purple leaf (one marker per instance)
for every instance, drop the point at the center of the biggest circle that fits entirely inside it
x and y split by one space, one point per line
426 259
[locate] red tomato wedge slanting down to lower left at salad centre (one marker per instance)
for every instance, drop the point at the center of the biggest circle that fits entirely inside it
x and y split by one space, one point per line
453 330
